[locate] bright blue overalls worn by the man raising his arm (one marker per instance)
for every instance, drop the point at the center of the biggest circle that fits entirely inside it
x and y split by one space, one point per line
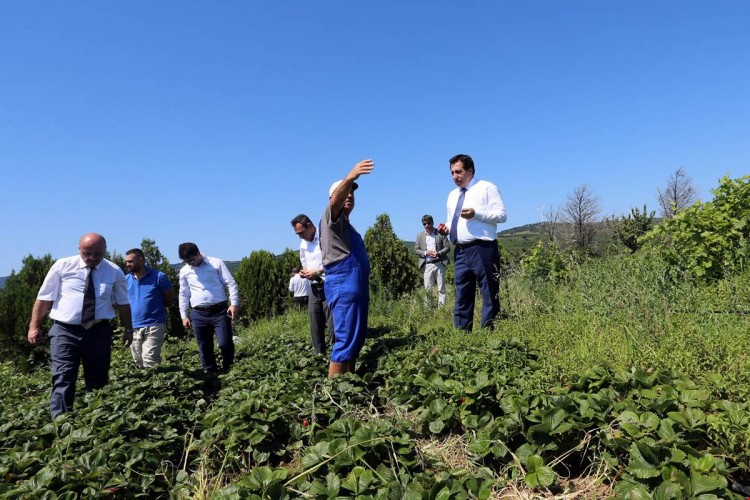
347 289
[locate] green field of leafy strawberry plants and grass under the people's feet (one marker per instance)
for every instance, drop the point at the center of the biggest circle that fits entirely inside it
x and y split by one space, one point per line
614 382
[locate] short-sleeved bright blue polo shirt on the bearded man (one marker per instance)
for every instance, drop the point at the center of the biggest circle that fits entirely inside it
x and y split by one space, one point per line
146 297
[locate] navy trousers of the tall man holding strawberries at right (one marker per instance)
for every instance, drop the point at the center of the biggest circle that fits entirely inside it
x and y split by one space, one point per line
478 264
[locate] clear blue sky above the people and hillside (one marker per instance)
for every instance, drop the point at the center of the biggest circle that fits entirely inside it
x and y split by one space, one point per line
217 122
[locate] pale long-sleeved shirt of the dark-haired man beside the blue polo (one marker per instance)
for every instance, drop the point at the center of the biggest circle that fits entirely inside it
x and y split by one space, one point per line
206 285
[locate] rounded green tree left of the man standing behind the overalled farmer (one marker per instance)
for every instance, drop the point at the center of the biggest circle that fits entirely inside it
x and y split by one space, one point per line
262 284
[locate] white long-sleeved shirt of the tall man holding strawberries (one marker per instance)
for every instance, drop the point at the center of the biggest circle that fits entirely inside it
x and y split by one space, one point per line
489 211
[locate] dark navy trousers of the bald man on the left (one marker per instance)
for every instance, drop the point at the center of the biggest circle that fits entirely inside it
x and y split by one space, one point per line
71 346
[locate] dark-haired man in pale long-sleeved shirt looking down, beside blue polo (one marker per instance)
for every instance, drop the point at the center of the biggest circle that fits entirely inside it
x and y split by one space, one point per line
204 282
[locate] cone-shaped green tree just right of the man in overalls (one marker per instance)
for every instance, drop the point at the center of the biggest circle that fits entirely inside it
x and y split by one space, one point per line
392 269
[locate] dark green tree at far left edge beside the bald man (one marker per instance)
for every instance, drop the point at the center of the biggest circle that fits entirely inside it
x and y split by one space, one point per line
16 300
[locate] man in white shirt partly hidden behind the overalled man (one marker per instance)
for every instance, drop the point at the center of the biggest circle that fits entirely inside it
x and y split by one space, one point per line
311 259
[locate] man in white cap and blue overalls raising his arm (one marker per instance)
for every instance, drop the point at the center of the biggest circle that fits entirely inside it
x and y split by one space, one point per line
347 270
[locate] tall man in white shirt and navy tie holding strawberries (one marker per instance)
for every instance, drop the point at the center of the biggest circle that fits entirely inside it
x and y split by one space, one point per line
475 208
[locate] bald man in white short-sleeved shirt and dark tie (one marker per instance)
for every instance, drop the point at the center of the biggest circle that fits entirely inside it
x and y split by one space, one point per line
78 293
